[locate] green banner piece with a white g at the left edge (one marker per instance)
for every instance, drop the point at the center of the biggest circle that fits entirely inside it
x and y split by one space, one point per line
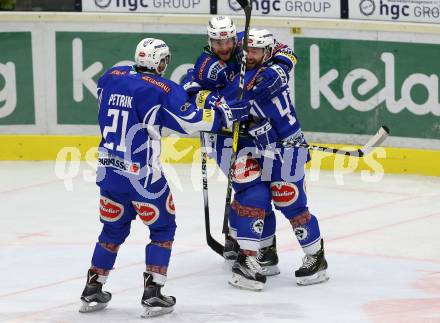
16 79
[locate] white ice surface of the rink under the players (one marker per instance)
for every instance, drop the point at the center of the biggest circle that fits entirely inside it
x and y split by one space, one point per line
382 244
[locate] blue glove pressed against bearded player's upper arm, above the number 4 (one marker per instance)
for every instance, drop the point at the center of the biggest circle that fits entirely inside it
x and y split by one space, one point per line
269 82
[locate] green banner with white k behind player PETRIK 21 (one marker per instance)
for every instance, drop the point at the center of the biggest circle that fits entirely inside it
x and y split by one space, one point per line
82 57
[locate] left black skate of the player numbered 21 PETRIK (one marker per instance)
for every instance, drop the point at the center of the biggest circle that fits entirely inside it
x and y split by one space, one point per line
93 298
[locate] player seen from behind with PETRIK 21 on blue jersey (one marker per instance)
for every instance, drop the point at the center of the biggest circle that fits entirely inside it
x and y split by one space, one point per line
135 103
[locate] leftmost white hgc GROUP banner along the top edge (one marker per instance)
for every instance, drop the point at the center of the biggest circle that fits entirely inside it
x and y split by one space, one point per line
151 6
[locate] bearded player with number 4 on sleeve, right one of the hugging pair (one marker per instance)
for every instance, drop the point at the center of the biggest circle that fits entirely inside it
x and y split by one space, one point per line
274 174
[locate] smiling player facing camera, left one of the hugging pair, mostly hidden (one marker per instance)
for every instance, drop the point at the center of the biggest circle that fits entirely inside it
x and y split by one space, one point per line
213 70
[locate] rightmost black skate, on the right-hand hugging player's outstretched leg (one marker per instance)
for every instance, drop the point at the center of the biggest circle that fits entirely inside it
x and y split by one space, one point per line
313 269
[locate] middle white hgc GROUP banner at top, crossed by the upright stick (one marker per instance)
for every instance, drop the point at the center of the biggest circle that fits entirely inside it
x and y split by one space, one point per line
284 8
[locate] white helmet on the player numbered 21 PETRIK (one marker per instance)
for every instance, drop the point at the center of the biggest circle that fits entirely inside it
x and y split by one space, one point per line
150 52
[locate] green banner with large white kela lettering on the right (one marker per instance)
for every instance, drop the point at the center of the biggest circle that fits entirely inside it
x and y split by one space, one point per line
355 86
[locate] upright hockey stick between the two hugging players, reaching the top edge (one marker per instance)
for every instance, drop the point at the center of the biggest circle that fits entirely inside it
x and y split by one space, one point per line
247 11
